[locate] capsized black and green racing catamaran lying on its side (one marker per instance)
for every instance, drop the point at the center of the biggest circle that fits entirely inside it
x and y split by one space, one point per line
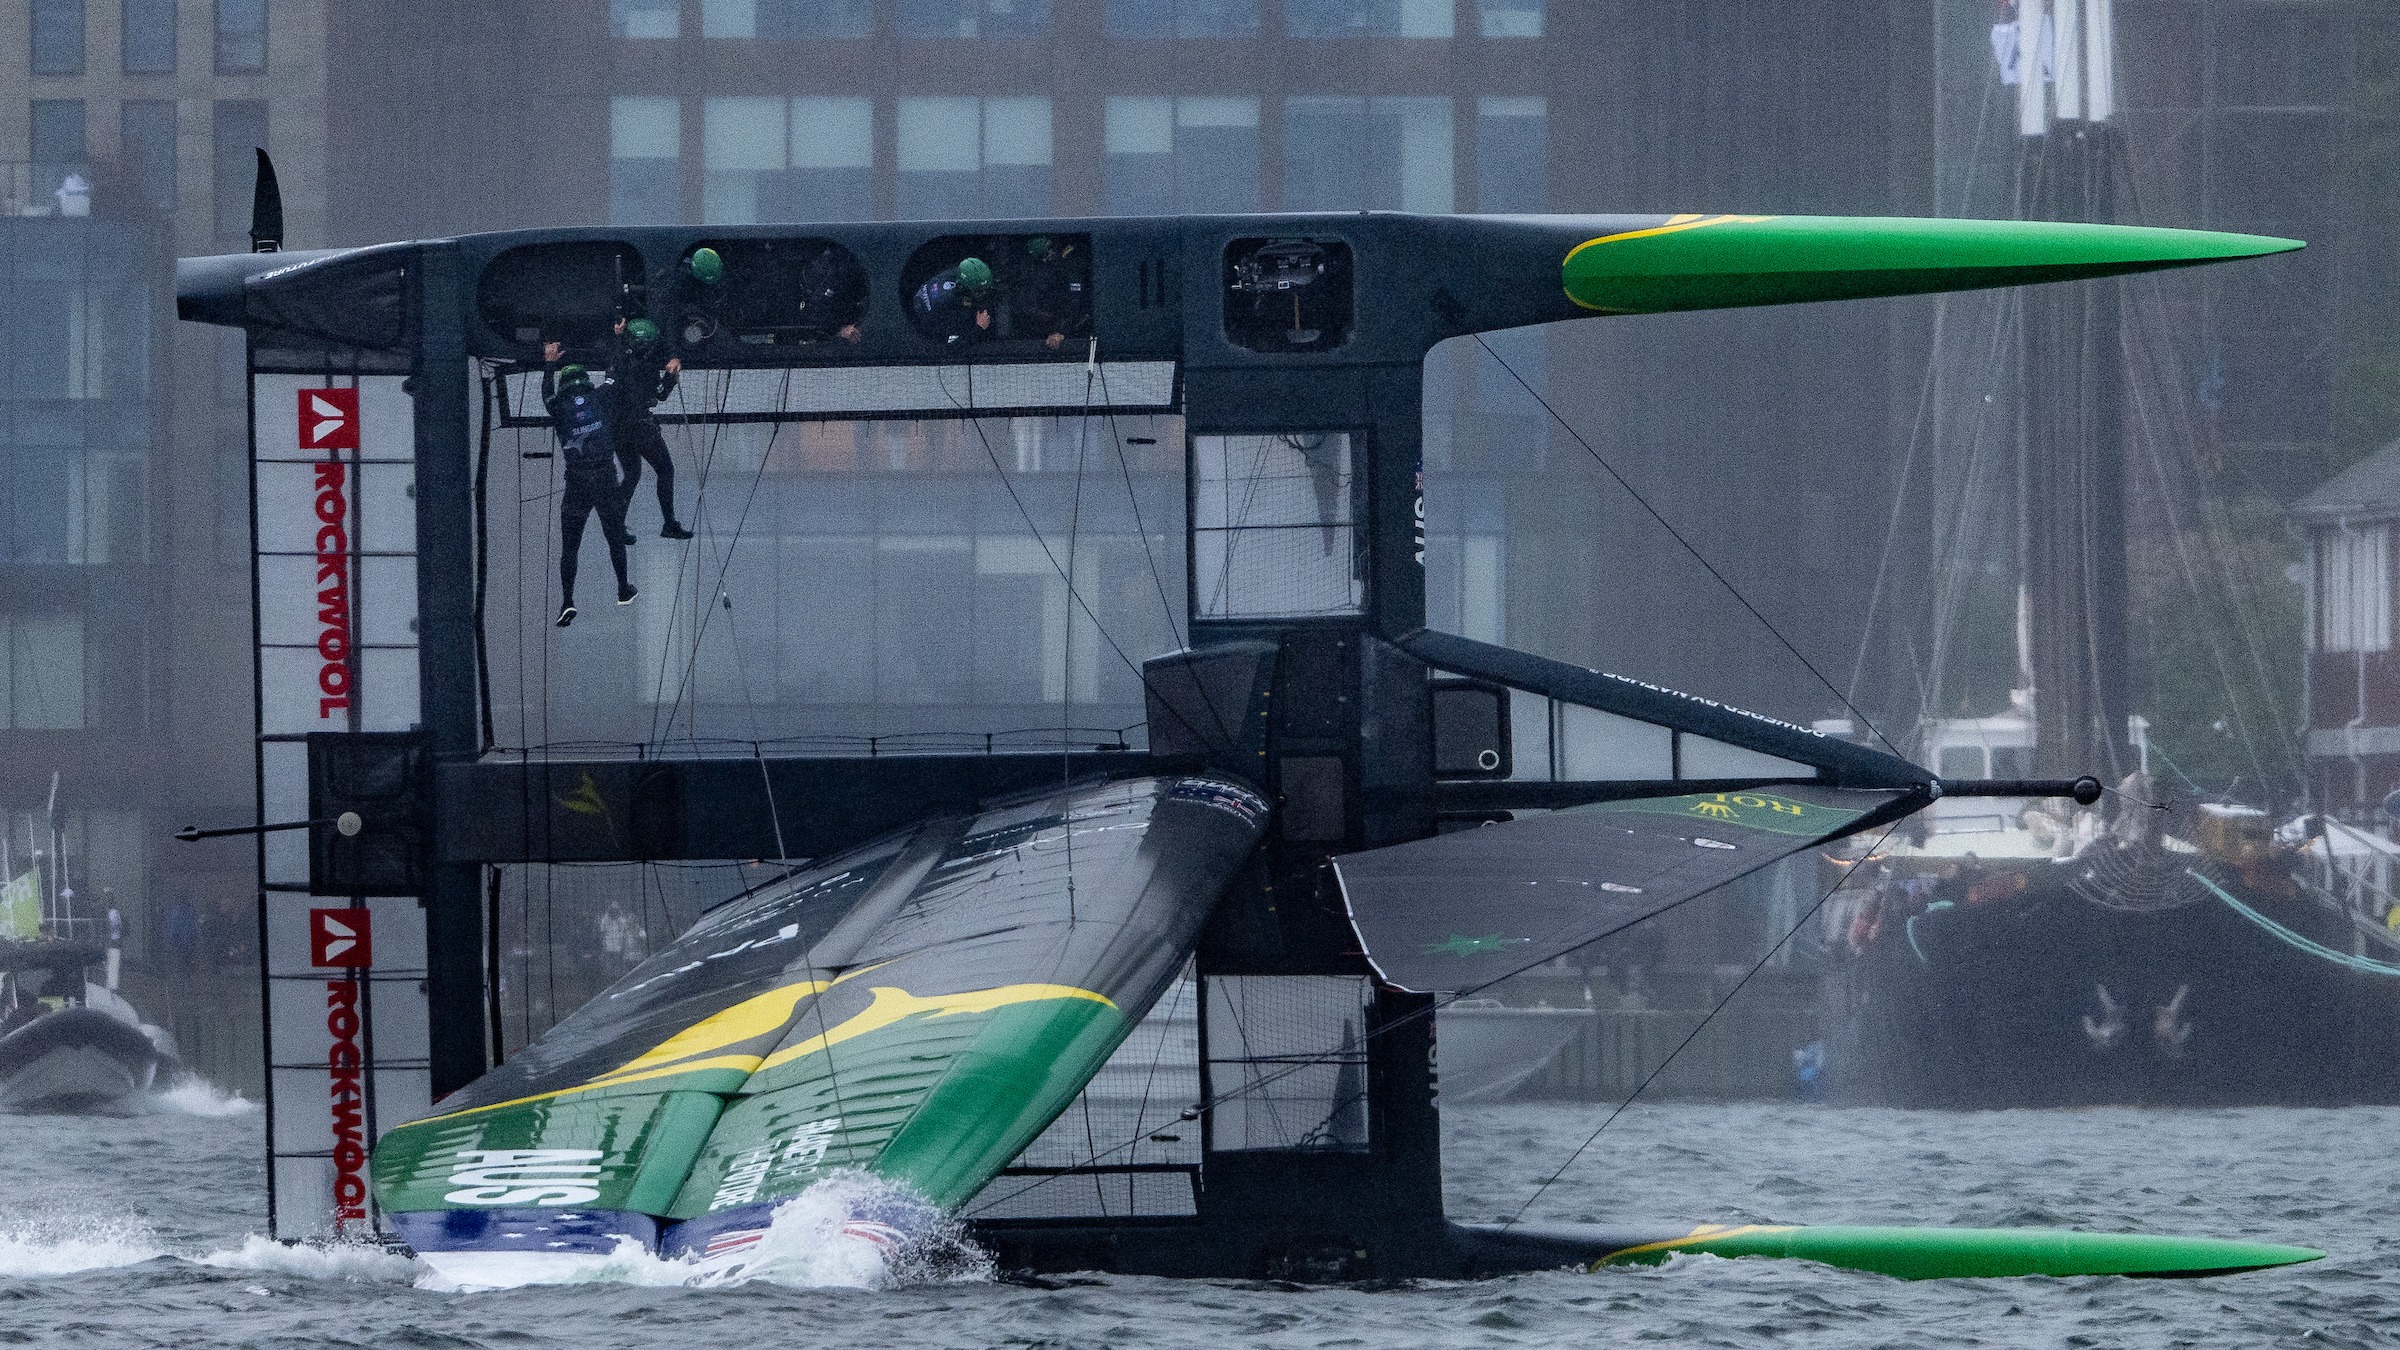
976 933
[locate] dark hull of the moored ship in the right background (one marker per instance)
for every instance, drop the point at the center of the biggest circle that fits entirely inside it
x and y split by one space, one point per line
2000 1005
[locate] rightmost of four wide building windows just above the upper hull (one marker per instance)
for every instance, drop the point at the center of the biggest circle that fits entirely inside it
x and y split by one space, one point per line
1369 155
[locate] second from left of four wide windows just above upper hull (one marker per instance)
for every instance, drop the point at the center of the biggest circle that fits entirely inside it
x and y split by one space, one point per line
973 157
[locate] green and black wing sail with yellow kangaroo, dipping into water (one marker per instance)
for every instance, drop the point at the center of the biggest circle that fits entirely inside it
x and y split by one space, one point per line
728 1075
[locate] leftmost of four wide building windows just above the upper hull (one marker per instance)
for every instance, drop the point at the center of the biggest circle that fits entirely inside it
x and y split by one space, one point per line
781 160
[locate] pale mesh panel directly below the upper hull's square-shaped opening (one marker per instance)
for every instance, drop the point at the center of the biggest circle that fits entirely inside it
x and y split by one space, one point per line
1273 527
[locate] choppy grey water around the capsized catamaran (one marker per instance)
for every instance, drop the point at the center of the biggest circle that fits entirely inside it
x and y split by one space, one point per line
143 1233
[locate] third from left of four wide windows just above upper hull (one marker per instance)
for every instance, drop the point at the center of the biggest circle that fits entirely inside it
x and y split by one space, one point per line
1180 155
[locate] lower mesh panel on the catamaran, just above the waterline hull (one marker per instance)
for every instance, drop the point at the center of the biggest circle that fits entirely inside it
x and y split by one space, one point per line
1288 1058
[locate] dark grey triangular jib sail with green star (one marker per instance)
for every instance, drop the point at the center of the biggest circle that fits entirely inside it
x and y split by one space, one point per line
1460 912
